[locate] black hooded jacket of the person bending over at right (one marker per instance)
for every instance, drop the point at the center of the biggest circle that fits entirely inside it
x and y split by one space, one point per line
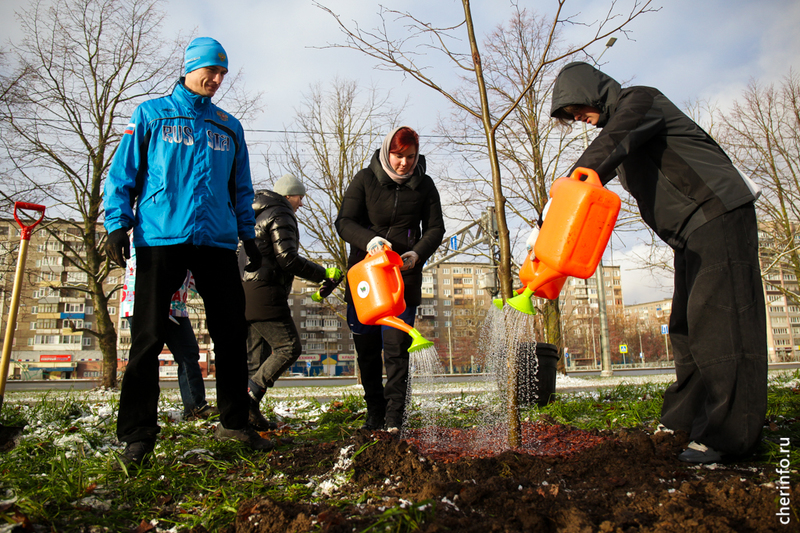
677 173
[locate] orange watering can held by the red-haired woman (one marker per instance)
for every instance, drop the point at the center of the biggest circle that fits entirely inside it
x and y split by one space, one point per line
376 286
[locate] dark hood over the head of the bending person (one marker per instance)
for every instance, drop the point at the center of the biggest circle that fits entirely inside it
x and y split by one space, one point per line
581 84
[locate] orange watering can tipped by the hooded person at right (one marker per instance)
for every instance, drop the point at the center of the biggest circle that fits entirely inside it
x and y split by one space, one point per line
572 239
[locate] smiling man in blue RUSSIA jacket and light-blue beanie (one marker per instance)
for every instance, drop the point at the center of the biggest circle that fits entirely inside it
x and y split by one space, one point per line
181 181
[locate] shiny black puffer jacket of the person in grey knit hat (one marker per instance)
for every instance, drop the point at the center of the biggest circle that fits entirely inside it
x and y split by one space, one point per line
267 289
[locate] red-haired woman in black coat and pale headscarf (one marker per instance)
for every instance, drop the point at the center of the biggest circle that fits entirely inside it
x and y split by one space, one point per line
392 203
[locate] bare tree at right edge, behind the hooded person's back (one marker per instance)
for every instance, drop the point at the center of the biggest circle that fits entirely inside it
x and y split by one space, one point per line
761 133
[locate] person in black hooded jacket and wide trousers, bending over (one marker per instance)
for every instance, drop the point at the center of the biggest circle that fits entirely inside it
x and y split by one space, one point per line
691 195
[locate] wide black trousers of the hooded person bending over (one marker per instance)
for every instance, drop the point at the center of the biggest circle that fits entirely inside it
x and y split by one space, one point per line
719 338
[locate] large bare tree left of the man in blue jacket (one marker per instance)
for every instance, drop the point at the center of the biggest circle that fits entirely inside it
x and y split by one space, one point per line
81 68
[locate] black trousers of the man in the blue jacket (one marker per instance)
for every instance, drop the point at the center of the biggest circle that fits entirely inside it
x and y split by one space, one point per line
160 271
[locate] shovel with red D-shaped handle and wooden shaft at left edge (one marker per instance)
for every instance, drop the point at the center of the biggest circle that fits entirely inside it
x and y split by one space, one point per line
10 434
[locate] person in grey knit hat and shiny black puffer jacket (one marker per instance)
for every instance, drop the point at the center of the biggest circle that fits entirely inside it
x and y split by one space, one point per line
273 343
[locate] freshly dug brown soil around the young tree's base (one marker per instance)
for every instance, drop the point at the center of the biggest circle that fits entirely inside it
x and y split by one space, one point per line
591 481
